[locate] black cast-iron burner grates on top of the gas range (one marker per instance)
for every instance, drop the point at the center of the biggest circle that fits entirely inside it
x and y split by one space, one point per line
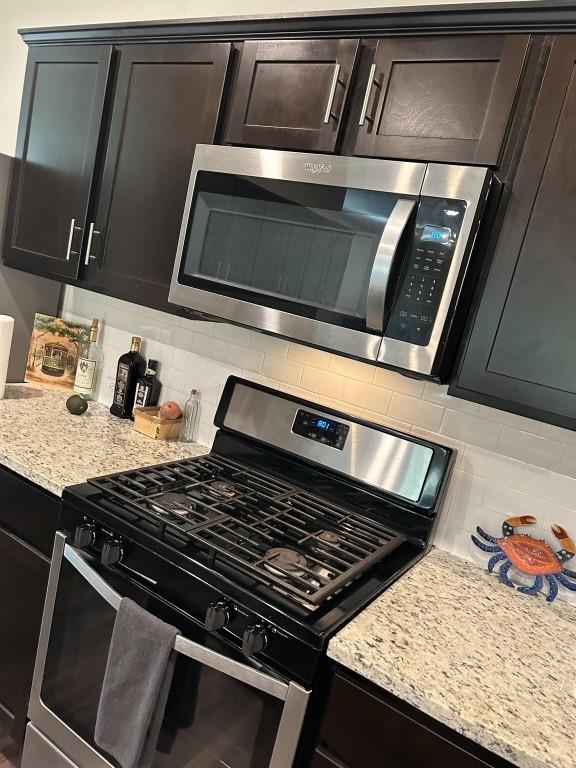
286 538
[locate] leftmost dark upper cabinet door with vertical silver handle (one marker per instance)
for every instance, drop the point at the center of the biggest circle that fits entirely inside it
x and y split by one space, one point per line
60 121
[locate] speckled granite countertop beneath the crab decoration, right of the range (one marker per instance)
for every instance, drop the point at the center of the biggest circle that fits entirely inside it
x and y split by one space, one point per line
494 665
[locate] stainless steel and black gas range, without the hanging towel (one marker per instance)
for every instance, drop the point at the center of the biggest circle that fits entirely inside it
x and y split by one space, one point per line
258 552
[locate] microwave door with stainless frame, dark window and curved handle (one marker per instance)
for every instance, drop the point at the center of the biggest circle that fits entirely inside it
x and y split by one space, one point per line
299 245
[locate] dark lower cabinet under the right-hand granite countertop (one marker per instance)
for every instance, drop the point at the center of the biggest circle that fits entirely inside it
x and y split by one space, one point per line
365 727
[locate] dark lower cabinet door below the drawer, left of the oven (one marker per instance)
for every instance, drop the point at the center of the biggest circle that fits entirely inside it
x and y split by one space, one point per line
23 581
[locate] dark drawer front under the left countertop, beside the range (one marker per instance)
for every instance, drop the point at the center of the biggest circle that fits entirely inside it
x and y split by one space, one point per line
28 512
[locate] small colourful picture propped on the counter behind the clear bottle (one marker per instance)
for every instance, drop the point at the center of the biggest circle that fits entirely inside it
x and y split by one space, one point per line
55 347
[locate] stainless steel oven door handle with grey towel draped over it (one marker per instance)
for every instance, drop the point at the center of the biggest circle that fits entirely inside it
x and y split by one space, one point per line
206 656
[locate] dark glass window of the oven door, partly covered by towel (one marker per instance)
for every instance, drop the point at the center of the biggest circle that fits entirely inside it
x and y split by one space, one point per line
211 720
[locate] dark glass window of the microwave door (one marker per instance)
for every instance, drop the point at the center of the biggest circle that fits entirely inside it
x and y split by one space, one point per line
312 245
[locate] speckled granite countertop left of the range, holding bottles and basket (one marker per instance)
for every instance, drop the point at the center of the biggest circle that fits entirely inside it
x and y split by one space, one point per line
42 441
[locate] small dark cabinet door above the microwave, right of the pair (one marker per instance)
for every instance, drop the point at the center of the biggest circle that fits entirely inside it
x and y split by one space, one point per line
448 99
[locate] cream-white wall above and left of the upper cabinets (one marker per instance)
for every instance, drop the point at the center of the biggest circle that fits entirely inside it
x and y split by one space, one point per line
18 14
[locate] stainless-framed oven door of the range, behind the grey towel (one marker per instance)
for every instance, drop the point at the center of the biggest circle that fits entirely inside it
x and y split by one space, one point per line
222 712
